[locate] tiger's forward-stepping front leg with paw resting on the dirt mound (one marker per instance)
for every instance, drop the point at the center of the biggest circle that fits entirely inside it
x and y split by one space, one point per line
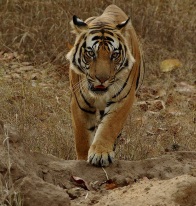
101 151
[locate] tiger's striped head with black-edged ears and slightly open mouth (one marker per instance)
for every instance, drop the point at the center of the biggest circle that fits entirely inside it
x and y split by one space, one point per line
100 53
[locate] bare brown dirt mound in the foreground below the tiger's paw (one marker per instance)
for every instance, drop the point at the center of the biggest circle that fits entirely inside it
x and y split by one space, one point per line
37 179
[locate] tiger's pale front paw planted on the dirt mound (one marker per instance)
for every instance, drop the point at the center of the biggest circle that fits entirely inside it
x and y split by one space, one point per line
99 155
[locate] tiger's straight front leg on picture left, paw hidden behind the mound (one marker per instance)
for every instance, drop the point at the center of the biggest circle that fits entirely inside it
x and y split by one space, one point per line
83 122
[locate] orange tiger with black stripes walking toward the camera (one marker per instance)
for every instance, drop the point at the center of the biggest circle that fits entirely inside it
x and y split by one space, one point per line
105 71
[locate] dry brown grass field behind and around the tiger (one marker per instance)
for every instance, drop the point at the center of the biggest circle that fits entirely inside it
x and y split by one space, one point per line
39 107
